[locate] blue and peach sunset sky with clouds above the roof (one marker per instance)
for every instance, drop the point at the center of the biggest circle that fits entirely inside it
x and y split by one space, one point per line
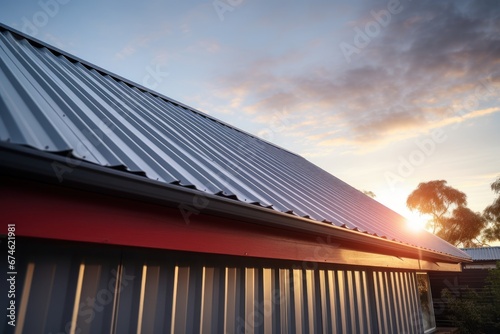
382 94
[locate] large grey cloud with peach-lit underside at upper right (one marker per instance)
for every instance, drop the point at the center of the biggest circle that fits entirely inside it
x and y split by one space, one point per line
435 64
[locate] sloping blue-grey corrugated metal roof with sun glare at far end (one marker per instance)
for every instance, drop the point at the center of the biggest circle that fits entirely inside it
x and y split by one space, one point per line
57 103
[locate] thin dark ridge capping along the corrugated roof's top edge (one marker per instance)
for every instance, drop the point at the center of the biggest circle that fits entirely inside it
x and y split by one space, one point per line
70 56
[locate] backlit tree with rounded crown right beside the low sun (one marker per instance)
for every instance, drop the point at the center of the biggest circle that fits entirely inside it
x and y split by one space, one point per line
450 220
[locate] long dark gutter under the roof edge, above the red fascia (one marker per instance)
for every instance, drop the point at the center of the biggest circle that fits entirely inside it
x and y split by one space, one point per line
63 170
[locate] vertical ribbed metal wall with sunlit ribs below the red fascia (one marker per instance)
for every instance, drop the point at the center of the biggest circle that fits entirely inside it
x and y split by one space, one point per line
130 291
